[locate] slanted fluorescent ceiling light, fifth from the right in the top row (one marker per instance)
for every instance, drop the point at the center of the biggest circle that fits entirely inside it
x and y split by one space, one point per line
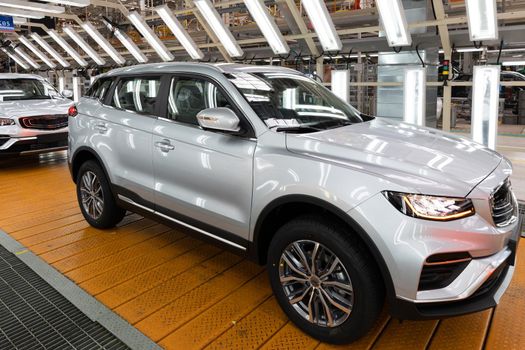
212 17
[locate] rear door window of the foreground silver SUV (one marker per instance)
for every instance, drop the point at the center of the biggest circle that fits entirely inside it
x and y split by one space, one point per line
137 94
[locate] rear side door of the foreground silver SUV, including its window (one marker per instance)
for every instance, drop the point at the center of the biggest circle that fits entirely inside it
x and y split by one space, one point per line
124 135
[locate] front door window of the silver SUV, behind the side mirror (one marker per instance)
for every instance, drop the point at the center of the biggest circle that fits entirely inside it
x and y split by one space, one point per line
189 96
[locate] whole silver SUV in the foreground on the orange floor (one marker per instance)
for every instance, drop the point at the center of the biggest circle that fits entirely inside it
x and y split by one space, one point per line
344 209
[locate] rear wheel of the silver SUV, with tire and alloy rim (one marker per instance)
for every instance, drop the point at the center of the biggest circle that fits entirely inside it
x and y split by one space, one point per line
97 203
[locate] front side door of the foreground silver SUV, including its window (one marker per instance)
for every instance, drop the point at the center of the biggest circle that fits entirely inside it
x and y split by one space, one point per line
202 177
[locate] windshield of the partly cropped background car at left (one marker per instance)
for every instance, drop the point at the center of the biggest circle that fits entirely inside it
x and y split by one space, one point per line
26 89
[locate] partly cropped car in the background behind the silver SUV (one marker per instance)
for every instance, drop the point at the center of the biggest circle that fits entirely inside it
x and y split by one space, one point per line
33 115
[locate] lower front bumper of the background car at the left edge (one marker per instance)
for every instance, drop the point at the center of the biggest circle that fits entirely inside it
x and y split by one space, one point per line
33 144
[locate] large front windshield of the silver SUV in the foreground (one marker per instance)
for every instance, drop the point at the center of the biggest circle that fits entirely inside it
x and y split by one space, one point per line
292 102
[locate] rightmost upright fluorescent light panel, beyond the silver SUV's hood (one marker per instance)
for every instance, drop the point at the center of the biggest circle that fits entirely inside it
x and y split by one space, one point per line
485 104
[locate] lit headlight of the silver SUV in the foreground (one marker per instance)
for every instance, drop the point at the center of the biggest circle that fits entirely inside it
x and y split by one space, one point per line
431 207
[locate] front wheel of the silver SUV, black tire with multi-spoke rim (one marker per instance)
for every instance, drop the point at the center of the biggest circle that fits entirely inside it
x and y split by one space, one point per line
356 271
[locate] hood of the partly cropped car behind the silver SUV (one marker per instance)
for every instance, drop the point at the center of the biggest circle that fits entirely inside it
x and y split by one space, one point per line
27 108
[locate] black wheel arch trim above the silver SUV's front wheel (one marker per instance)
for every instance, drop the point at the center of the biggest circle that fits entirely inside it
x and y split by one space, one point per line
283 209
